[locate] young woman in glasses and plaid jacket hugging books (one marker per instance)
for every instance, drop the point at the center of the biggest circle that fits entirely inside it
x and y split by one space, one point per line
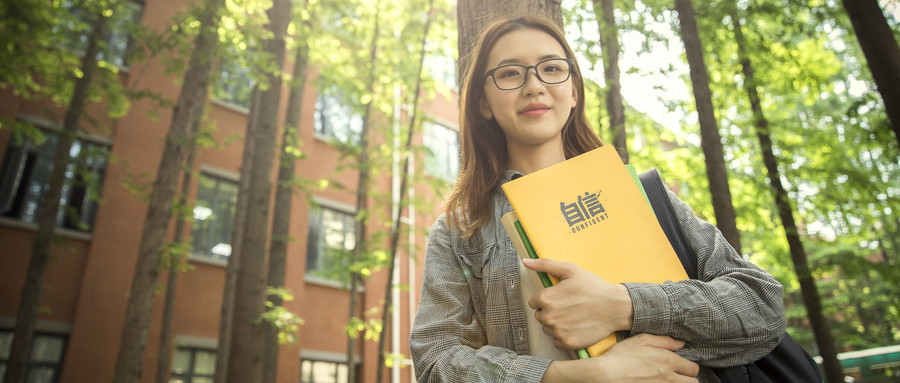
523 110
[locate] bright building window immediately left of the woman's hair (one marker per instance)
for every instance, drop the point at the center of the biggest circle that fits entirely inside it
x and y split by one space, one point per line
442 152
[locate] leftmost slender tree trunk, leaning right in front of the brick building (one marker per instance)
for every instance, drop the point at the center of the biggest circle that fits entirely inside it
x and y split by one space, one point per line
26 318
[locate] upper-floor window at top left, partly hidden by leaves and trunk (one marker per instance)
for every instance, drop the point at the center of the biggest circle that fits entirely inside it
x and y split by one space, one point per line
75 30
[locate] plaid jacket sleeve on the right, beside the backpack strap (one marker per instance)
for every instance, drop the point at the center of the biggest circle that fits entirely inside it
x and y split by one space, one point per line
732 314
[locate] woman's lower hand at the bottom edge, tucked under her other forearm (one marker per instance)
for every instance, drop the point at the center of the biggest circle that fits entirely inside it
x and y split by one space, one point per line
641 358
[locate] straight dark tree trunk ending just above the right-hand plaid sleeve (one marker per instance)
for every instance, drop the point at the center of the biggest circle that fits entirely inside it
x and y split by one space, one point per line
710 140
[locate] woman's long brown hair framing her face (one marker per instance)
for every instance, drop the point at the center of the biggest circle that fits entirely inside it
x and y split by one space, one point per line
484 153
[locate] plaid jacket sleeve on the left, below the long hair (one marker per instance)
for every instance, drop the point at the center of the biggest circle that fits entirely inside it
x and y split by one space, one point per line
448 341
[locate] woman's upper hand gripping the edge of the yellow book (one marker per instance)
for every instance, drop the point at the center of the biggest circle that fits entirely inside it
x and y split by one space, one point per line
582 308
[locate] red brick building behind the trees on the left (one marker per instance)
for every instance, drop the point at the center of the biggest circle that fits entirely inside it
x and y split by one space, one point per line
87 284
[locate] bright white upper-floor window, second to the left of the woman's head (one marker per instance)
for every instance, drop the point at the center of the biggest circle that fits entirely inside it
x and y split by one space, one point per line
335 119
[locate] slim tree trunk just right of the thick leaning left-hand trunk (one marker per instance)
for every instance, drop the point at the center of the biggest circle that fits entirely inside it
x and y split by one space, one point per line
175 257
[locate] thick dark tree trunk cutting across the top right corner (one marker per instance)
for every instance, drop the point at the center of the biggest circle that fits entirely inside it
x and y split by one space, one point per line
882 53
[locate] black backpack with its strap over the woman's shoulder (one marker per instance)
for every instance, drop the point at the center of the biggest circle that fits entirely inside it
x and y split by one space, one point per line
788 362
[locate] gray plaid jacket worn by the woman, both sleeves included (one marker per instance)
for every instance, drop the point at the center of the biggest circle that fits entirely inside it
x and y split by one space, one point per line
470 324
